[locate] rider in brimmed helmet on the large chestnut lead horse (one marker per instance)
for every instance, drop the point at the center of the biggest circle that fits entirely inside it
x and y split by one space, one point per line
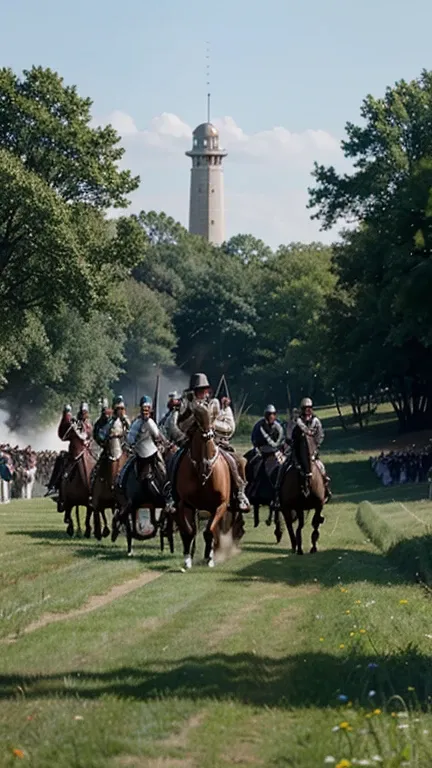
223 425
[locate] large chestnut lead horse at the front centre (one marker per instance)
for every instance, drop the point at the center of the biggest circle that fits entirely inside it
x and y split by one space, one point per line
204 483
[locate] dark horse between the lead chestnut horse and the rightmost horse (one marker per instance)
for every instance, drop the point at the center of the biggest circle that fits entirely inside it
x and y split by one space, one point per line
261 474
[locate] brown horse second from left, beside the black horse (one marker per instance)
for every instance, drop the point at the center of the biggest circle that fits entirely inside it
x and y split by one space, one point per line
102 488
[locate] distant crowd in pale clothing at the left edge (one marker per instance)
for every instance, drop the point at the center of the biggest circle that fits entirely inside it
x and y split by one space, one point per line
20 468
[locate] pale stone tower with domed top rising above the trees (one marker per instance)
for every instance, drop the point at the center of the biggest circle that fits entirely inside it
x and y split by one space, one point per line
206 206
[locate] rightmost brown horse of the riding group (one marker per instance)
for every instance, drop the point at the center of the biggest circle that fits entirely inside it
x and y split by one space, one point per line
302 489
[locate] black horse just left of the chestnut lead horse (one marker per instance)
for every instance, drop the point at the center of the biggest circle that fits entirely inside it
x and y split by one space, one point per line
139 501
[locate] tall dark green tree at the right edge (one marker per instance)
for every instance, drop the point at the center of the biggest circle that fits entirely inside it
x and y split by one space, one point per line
384 265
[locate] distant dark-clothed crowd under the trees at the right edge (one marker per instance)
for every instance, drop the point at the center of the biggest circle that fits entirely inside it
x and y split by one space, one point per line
407 466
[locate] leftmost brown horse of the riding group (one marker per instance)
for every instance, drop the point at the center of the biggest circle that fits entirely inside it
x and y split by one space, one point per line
75 482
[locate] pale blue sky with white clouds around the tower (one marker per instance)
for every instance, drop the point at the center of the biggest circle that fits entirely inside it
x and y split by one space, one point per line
285 79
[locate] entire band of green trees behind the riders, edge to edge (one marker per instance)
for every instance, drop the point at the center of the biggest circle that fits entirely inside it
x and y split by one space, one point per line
92 303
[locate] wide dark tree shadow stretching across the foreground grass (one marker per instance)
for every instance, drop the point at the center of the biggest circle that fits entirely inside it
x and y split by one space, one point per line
296 680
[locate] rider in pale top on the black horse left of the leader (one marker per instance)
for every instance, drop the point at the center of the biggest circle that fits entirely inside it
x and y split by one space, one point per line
143 436
